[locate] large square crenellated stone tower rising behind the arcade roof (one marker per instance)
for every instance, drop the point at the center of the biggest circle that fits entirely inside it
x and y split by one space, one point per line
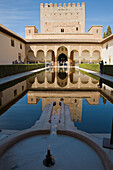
63 18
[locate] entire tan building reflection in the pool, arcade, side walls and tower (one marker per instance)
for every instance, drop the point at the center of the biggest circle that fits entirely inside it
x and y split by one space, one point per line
52 82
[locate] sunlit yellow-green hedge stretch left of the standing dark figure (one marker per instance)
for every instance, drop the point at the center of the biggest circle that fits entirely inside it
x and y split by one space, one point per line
93 67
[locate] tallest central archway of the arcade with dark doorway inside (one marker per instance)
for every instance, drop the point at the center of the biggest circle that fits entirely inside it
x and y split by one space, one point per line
62 54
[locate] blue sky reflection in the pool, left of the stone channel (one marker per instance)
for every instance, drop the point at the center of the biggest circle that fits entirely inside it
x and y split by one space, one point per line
21 115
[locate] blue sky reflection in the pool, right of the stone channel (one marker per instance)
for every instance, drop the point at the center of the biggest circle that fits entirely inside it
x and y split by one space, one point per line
96 118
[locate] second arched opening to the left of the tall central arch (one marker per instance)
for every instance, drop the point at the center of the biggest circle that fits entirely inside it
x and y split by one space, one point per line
40 57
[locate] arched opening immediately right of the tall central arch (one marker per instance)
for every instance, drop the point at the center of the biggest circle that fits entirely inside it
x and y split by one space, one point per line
74 58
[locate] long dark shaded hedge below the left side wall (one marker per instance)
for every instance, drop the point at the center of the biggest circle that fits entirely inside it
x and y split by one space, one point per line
8 70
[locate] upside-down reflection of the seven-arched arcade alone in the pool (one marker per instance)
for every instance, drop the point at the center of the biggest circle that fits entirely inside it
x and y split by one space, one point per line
63 78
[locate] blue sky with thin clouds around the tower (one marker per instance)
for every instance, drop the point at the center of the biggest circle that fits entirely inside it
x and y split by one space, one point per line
15 14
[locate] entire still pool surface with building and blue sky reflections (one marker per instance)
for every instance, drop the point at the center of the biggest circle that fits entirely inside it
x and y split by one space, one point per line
91 107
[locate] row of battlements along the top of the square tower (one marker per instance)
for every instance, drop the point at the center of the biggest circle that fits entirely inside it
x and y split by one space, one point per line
62 5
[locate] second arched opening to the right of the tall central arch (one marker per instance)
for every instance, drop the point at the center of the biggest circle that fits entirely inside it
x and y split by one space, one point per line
85 57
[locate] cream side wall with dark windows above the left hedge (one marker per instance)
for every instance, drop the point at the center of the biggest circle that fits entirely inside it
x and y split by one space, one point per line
11 48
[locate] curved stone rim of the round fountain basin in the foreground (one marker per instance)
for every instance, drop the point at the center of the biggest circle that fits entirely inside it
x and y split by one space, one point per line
15 138
